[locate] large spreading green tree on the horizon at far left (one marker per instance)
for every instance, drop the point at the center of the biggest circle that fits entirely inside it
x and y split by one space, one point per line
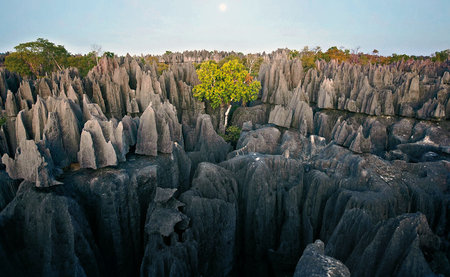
37 58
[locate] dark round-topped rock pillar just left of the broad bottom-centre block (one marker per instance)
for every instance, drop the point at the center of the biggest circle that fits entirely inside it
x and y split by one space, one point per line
212 206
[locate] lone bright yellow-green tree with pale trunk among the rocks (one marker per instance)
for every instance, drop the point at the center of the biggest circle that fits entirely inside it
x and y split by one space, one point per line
222 86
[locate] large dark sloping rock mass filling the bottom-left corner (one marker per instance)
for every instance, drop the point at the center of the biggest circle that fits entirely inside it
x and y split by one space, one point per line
51 224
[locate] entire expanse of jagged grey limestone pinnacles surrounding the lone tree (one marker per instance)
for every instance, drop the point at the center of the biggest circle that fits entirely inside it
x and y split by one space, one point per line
340 170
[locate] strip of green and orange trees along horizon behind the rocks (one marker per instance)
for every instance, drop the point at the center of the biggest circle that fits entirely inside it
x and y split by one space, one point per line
41 57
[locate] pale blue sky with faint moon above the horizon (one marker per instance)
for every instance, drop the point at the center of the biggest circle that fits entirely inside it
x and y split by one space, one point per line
413 27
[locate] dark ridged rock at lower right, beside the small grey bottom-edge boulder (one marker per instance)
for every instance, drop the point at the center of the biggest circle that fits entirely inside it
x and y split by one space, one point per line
385 243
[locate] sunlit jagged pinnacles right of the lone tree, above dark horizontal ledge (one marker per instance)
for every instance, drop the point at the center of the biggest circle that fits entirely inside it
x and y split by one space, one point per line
372 90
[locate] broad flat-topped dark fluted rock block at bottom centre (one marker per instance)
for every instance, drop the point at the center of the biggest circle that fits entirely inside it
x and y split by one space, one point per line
267 185
